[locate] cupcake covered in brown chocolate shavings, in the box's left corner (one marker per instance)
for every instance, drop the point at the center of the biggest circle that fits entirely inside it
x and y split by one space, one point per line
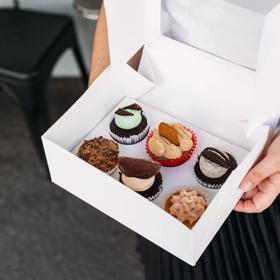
101 153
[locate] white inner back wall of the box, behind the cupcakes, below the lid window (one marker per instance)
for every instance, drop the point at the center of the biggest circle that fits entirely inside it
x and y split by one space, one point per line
223 109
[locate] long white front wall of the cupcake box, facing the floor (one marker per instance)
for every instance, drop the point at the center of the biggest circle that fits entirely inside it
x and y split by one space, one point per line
163 230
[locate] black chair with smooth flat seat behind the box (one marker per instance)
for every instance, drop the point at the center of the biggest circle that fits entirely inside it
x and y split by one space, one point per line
30 44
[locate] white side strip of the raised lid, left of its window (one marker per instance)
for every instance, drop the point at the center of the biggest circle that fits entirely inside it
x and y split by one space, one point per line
131 24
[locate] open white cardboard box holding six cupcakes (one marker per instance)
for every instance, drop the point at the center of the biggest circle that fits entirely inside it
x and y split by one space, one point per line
205 91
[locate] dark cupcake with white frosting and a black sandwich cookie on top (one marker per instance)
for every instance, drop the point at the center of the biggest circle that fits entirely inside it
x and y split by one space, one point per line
213 167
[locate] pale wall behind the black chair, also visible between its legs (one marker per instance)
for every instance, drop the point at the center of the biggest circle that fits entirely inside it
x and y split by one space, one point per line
66 66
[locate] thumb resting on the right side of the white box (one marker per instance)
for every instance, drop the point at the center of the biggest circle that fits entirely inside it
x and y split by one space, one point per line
268 166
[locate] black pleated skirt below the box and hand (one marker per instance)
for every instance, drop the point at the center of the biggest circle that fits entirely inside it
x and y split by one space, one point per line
246 247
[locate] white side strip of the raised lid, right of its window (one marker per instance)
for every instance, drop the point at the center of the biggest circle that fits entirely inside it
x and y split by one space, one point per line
266 104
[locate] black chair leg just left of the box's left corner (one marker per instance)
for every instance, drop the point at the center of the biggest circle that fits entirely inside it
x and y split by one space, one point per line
35 108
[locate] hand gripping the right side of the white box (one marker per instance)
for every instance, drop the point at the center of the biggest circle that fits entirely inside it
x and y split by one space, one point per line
262 183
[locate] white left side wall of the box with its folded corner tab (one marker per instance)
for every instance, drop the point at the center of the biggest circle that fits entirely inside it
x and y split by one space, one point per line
100 97
